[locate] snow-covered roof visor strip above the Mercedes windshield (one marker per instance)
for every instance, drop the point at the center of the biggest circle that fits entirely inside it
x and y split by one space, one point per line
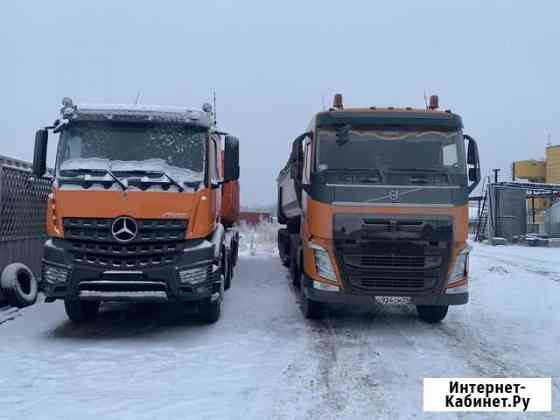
136 113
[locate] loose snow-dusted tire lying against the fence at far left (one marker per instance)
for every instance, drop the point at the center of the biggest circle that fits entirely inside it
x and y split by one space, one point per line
18 285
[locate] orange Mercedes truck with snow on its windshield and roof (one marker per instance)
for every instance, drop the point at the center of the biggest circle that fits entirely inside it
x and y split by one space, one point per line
142 206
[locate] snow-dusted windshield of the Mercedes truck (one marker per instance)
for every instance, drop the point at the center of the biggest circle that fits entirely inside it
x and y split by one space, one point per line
178 151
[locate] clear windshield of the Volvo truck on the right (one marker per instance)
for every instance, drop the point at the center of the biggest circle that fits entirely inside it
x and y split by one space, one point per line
397 155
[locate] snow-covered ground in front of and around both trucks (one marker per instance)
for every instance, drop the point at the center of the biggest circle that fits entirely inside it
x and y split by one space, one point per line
263 360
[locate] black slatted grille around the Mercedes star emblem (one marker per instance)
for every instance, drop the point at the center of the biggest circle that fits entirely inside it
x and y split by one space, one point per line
157 242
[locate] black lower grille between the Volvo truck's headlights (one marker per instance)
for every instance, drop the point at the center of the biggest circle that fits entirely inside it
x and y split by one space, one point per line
377 267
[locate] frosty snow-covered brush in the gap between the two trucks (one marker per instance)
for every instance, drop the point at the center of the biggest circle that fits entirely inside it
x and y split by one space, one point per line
260 239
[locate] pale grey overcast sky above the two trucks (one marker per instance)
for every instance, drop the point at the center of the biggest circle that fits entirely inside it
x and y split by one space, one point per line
272 63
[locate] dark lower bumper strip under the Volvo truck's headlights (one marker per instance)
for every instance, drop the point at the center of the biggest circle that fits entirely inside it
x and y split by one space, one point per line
344 297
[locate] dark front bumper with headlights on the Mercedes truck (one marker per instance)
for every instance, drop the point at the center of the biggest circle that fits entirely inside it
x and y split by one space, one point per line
72 280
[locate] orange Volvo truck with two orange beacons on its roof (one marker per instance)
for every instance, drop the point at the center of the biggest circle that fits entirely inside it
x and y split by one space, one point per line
375 202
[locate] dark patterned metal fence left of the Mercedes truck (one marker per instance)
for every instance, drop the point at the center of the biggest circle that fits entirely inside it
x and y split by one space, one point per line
23 204
